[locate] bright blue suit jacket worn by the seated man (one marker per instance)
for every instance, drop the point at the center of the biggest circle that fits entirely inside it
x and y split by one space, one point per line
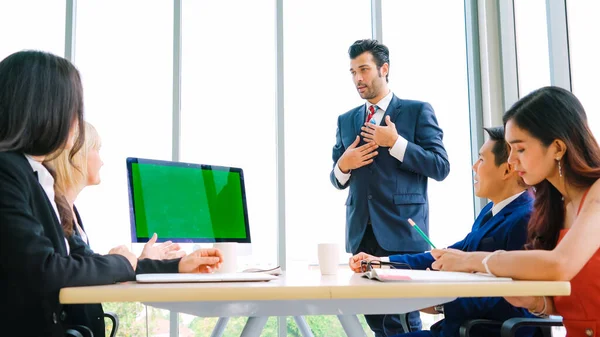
507 230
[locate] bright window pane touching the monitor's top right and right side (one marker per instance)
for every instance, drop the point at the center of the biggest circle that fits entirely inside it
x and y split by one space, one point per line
228 103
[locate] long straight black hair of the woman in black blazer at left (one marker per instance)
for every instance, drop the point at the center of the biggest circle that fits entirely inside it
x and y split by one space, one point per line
40 99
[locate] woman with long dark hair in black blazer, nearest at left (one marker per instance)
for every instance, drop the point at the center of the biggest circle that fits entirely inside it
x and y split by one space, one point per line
41 111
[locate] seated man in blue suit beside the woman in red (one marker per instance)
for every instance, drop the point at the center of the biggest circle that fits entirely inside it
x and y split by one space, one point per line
501 225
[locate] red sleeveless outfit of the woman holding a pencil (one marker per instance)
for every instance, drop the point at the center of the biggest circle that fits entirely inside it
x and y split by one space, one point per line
581 310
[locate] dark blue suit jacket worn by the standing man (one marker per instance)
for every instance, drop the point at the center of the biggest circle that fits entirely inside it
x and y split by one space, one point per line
388 191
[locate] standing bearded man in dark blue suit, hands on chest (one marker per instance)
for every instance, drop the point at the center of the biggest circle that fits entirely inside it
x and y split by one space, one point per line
385 150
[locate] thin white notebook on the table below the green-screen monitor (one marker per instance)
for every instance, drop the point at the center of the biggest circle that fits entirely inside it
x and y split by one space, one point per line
215 277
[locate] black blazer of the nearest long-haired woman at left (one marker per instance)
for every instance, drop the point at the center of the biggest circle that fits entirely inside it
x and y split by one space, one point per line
34 264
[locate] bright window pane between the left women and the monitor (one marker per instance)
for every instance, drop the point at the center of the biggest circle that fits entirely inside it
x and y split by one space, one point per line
126 71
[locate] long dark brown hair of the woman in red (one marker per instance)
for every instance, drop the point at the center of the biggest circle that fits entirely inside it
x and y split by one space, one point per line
548 114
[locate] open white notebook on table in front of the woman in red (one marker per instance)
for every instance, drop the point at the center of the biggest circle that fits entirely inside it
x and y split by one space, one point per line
409 275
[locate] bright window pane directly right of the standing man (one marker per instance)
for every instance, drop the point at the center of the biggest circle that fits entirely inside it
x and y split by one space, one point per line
428 63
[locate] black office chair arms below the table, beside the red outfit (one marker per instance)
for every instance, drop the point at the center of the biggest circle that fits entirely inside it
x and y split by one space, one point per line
509 327
